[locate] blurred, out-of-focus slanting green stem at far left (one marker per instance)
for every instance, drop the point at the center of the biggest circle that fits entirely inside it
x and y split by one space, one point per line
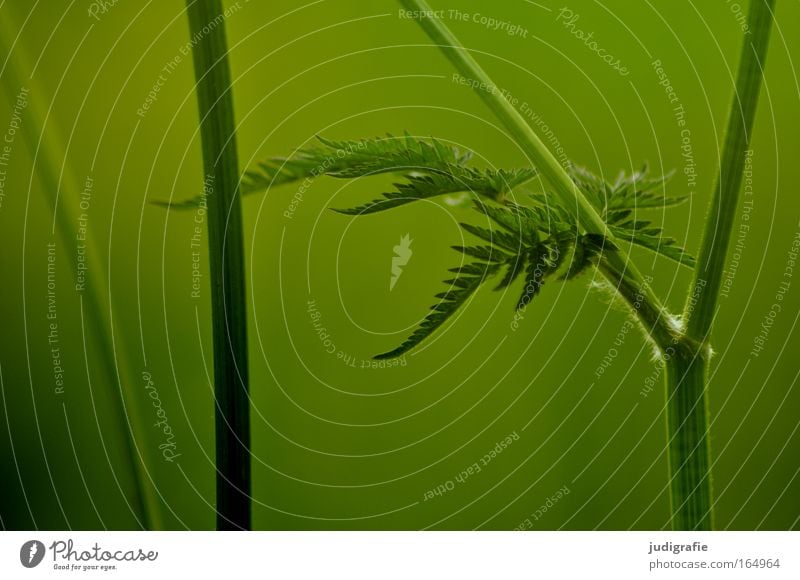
117 371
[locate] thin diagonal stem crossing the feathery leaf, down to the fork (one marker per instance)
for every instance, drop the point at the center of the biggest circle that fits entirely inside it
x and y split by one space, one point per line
570 195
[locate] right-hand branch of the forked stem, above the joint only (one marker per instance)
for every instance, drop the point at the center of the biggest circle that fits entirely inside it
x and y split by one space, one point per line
719 223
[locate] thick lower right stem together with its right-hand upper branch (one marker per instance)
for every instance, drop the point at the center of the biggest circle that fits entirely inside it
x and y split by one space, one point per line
687 371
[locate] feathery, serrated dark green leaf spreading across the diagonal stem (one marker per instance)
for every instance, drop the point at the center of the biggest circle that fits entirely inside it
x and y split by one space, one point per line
530 237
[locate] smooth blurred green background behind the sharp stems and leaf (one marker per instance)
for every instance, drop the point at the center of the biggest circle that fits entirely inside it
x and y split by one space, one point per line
343 447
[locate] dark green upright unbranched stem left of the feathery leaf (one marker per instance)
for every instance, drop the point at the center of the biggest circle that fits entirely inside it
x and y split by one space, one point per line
226 259
